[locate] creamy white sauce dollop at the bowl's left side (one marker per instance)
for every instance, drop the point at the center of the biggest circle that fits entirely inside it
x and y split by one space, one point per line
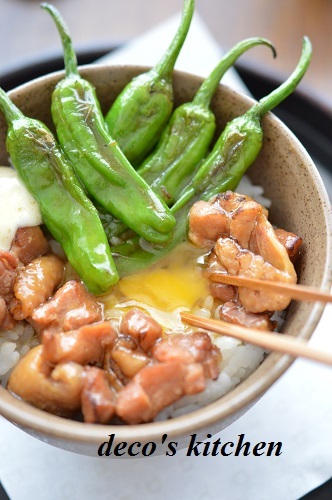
17 207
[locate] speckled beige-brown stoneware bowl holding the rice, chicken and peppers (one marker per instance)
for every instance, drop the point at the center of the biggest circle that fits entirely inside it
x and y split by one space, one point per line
300 204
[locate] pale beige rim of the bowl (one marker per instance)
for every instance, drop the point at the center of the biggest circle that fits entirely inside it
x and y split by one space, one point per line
29 417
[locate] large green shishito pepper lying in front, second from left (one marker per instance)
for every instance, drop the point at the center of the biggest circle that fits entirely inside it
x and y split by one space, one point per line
100 164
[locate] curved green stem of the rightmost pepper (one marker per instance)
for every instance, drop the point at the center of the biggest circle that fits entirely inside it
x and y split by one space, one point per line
285 89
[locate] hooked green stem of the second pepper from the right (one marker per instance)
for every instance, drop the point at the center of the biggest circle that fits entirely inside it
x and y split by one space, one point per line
207 89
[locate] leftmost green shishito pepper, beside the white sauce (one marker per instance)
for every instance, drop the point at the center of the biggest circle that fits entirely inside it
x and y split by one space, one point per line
66 211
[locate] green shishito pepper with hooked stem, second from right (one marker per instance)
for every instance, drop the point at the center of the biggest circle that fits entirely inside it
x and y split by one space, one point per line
185 140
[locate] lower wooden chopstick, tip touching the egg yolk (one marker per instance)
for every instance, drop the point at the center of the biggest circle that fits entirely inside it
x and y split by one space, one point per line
279 342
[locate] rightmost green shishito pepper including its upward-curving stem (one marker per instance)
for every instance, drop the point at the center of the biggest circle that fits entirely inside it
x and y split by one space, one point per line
235 150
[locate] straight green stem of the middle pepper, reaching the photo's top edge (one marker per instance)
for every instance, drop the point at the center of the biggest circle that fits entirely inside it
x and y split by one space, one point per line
166 64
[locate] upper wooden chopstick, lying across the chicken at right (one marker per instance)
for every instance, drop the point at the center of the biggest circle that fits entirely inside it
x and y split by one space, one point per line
294 291
